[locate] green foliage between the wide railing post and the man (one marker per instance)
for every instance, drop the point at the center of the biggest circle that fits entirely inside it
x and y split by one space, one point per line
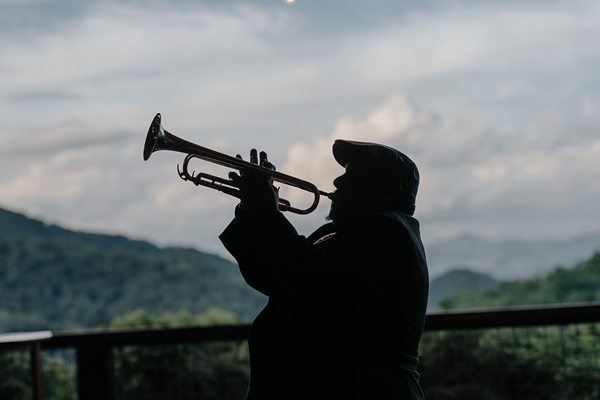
213 370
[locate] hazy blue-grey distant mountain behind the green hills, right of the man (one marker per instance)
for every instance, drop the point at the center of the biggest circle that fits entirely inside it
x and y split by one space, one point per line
509 259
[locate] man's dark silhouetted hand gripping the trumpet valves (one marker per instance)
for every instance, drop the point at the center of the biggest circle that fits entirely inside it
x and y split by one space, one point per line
258 195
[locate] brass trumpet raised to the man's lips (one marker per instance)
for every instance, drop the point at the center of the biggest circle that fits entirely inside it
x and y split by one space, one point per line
160 139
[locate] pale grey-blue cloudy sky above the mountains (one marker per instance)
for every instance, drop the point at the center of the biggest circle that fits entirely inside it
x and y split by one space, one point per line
498 103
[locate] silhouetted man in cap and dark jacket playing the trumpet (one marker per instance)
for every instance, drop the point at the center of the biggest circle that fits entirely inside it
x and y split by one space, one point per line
347 304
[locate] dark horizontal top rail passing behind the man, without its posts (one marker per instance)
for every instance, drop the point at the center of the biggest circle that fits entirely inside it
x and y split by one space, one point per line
557 314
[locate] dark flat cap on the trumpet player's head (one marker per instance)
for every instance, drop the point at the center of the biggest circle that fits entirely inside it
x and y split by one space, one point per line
388 163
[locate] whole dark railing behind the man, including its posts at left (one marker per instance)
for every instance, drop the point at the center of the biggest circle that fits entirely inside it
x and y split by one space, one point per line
95 362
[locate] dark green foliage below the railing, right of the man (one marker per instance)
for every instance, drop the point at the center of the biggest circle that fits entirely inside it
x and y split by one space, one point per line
555 363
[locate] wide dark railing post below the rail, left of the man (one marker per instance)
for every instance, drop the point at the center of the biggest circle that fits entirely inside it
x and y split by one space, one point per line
95 372
